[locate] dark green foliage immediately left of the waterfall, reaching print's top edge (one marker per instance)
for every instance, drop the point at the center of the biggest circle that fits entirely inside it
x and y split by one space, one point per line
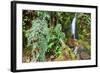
65 18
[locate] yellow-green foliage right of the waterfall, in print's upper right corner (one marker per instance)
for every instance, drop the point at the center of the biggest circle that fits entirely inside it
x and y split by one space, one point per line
84 24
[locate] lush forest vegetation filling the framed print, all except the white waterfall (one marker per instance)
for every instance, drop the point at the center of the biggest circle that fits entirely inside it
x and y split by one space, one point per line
47 36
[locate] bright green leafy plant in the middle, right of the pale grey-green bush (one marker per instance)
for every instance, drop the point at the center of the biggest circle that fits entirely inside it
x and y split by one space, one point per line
55 34
